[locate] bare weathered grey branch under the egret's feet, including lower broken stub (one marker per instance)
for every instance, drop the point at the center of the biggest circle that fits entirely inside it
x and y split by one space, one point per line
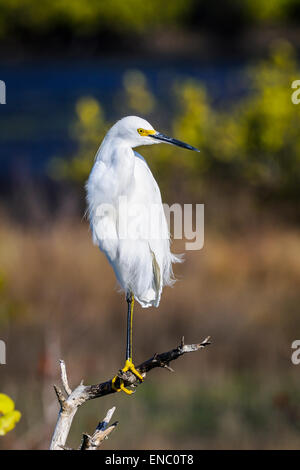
82 393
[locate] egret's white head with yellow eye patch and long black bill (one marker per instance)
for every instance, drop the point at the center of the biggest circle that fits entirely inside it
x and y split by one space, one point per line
137 131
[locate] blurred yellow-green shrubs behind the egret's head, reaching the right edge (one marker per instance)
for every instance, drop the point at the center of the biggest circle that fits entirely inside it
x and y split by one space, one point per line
256 141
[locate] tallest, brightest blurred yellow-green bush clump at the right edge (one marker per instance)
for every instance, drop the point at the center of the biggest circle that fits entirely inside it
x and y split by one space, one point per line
269 124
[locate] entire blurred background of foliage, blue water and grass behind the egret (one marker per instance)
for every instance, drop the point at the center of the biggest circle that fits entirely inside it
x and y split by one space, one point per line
217 75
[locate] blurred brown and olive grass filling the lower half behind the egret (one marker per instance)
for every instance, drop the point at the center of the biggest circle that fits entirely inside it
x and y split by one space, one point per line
59 300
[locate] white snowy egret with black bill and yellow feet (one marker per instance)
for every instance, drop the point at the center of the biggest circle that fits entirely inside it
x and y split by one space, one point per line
142 263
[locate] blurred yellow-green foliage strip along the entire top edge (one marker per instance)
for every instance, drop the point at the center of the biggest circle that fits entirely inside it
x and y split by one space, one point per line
131 16
